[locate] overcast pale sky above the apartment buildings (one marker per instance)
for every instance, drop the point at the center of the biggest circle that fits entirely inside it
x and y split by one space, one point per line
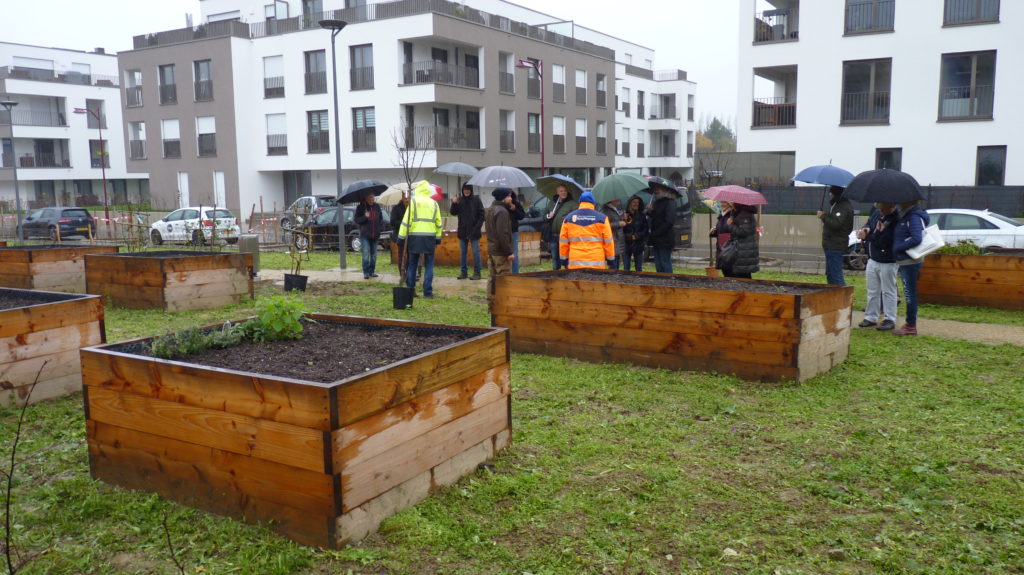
699 36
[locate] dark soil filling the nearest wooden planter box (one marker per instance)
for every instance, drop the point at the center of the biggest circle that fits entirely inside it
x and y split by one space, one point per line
329 351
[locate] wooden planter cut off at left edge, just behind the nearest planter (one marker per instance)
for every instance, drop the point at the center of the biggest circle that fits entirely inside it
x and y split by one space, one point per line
51 329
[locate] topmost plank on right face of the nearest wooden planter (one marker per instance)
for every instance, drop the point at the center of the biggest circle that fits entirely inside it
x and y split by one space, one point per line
414 378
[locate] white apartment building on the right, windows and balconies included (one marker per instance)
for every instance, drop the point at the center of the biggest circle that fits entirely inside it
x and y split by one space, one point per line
930 87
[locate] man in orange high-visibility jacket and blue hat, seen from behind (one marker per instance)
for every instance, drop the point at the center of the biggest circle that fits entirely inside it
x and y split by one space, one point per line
586 239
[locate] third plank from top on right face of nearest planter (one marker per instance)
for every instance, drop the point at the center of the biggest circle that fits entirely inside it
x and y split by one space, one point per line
377 475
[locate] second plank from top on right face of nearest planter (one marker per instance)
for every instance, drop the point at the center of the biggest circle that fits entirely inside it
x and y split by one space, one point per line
372 436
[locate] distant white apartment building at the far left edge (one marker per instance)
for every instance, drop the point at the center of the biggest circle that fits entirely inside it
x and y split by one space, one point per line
67 120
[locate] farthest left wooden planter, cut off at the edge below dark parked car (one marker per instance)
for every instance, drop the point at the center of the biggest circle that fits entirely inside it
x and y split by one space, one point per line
56 269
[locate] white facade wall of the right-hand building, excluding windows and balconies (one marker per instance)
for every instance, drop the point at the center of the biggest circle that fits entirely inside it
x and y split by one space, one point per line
941 153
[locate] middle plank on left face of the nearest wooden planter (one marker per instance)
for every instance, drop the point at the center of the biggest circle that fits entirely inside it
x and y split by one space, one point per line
283 444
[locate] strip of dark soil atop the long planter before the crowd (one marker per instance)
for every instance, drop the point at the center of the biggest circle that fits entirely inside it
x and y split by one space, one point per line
694 282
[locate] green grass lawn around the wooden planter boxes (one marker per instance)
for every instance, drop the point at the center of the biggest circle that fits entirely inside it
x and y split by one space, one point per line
907 459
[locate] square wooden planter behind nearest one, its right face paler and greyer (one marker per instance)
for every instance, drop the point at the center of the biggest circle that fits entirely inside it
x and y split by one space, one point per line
172 281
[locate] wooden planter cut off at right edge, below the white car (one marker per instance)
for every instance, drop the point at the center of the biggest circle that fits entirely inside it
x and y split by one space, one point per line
994 281
